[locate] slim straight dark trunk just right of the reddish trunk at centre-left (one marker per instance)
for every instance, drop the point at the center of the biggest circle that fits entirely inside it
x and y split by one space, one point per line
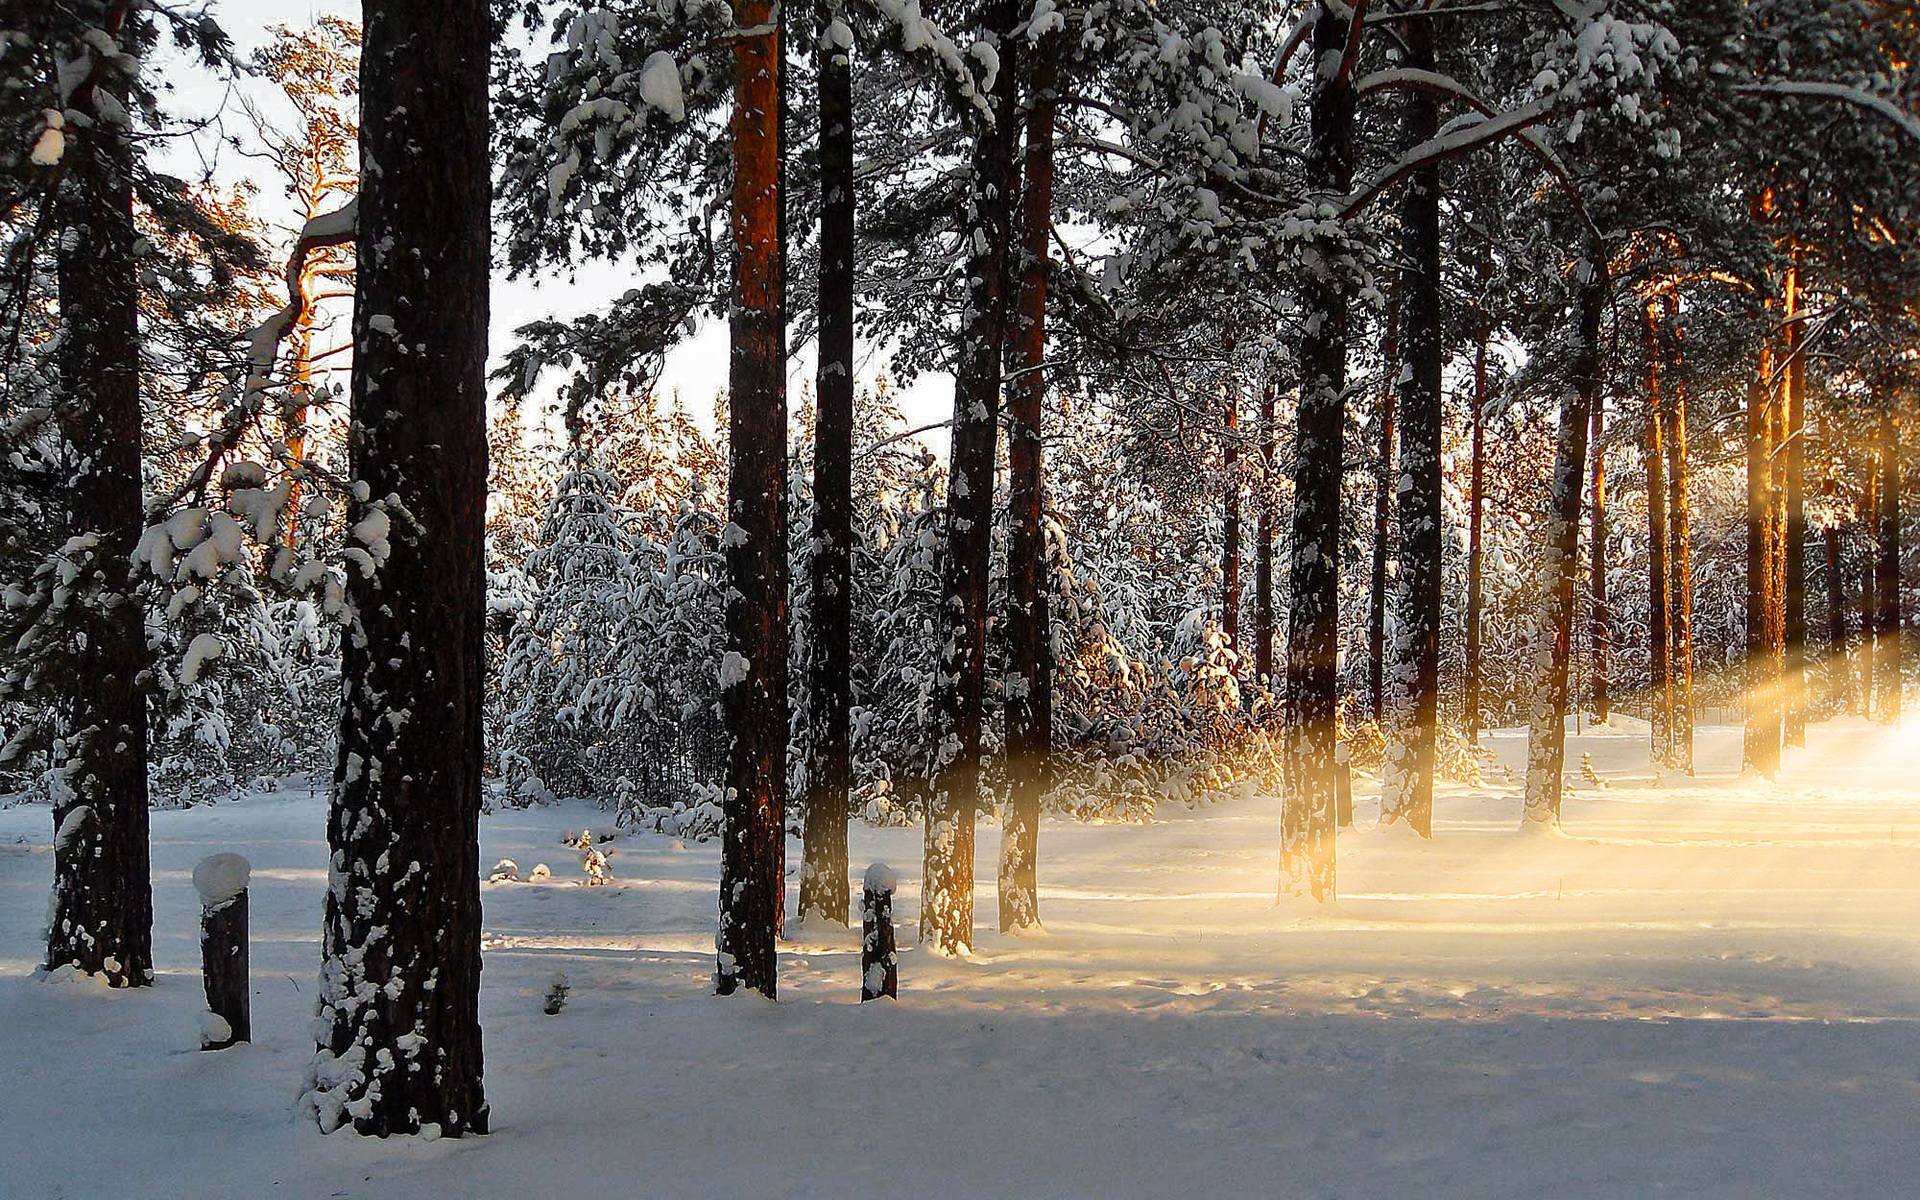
825 892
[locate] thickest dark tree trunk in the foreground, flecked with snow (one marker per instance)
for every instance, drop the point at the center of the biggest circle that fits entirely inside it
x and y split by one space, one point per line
400 982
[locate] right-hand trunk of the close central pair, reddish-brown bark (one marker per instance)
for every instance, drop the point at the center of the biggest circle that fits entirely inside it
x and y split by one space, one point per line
1030 709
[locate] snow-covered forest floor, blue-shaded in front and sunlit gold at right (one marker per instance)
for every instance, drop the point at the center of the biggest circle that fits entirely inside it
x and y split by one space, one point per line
1708 990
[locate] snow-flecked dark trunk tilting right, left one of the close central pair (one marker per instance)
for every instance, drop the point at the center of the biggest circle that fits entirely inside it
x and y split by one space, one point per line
948 888
